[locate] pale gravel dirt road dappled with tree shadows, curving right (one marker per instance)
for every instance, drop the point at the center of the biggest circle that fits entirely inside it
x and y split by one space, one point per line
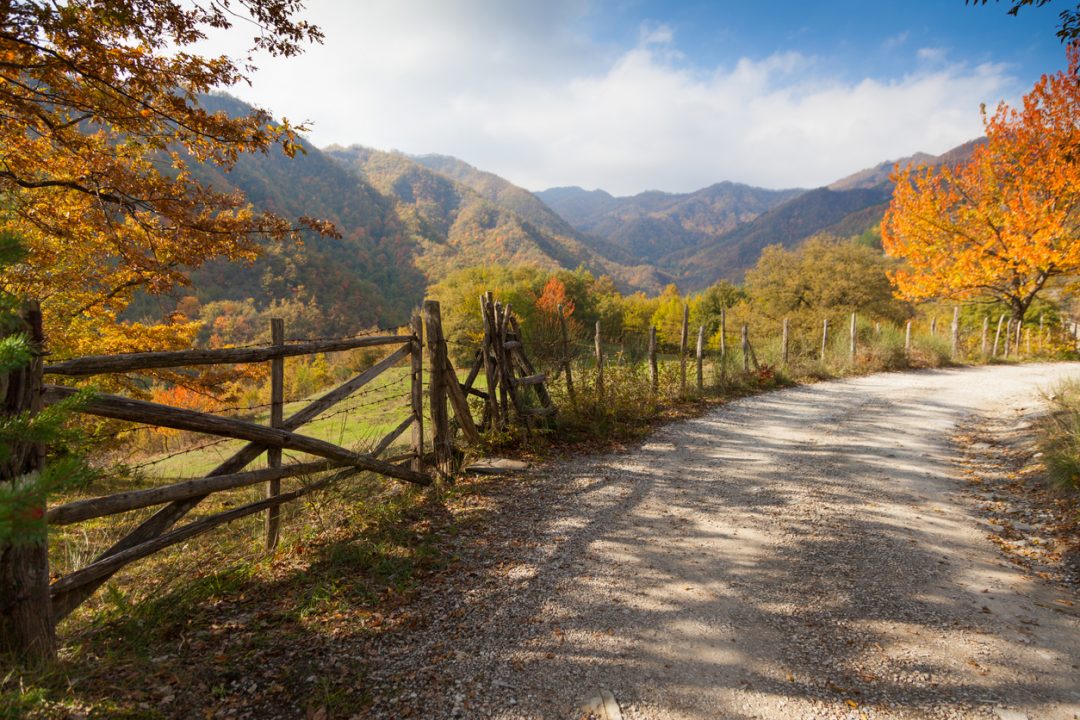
809 553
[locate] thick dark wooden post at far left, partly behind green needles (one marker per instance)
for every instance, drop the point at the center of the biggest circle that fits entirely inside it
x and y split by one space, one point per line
26 617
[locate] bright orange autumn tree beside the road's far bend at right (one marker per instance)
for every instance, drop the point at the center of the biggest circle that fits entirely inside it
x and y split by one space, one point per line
1003 225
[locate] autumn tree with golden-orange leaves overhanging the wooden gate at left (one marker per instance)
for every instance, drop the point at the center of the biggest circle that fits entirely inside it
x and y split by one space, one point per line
101 126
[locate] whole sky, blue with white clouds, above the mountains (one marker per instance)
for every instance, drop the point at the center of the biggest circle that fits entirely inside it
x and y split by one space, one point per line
632 96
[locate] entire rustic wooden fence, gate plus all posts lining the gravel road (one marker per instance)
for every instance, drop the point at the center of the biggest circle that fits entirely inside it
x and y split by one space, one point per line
516 392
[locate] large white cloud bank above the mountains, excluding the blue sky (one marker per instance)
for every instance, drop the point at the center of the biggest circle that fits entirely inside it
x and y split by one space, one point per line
523 90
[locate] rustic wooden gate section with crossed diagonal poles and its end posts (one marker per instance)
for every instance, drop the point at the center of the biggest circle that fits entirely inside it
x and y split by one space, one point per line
32 606
